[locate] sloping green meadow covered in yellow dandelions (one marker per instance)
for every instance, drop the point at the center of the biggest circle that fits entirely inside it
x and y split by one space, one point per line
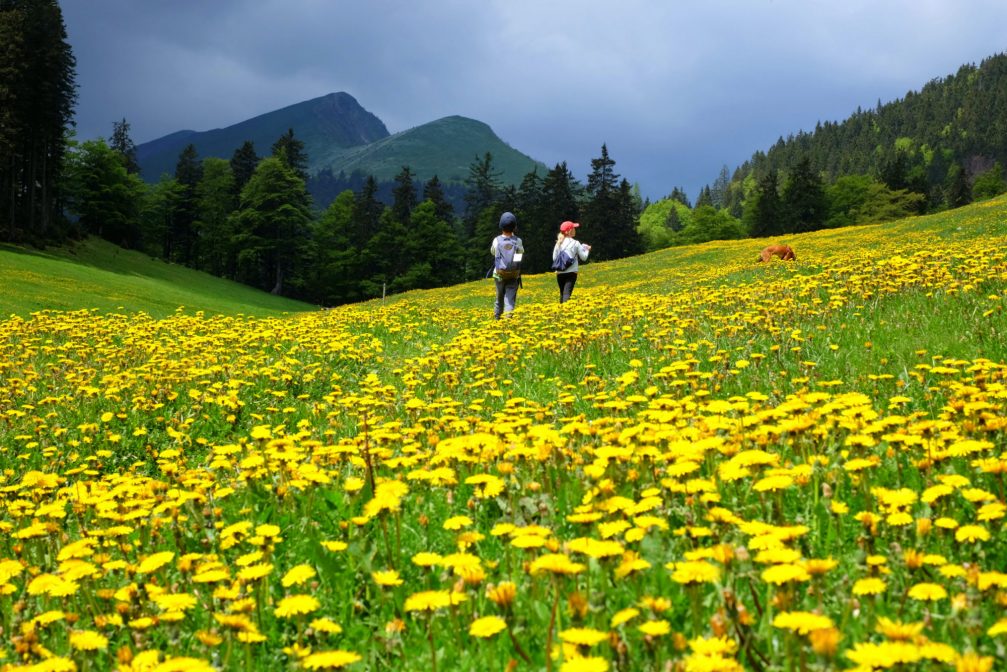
700 464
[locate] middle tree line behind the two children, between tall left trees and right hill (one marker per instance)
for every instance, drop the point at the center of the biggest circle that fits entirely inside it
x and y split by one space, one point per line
251 219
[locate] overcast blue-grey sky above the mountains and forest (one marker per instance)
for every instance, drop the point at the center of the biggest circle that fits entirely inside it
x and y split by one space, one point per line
676 89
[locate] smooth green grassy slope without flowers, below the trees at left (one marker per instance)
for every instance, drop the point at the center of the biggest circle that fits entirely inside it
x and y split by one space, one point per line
97 275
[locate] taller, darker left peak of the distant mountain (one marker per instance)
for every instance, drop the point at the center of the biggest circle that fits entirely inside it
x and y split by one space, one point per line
333 121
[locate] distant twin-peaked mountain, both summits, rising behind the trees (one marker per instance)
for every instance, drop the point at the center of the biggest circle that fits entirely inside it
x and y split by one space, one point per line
342 138
